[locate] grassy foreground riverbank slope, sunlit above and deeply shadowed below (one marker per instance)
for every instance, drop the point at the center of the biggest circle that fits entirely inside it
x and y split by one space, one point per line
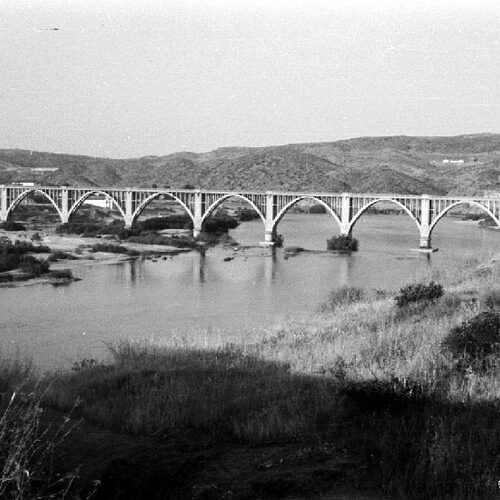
394 396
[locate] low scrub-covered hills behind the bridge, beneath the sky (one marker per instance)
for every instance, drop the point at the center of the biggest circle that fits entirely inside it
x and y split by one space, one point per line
396 164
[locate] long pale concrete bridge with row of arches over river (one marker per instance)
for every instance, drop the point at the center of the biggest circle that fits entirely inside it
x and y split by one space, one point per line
345 208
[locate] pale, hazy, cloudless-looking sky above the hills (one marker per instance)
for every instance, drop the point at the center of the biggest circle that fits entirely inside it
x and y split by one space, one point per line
132 78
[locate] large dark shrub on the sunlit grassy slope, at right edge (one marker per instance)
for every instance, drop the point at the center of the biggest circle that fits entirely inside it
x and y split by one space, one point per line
476 337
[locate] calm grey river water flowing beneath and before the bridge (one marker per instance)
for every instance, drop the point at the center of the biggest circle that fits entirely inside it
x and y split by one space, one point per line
194 296
